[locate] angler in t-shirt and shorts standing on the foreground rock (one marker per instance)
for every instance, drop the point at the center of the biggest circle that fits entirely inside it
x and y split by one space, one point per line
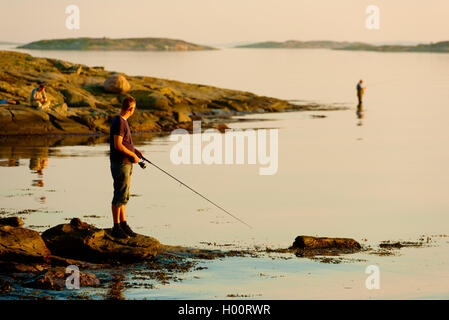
122 156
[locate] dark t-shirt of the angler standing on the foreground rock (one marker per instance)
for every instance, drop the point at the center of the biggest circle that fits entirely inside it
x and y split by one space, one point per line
120 127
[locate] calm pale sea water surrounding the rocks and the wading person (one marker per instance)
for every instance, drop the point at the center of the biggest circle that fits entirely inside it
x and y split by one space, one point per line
378 175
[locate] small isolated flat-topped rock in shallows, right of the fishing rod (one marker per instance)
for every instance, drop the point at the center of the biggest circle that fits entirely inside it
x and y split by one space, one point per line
308 242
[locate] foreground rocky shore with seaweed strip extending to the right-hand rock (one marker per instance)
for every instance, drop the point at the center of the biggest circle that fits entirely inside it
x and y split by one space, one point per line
35 266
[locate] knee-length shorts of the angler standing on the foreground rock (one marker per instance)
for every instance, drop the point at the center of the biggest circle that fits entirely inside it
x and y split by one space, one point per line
121 173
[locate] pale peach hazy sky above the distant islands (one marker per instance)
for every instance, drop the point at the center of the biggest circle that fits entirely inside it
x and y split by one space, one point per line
216 22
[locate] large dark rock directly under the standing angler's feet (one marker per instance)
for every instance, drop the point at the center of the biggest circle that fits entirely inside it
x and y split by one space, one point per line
85 242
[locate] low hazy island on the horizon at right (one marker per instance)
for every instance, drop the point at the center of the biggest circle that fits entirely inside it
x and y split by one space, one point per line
442 46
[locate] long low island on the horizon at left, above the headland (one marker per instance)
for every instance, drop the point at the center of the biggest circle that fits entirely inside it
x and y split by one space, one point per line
135 44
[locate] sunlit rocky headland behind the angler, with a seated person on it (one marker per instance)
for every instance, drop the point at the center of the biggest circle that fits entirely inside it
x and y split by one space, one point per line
82 102
